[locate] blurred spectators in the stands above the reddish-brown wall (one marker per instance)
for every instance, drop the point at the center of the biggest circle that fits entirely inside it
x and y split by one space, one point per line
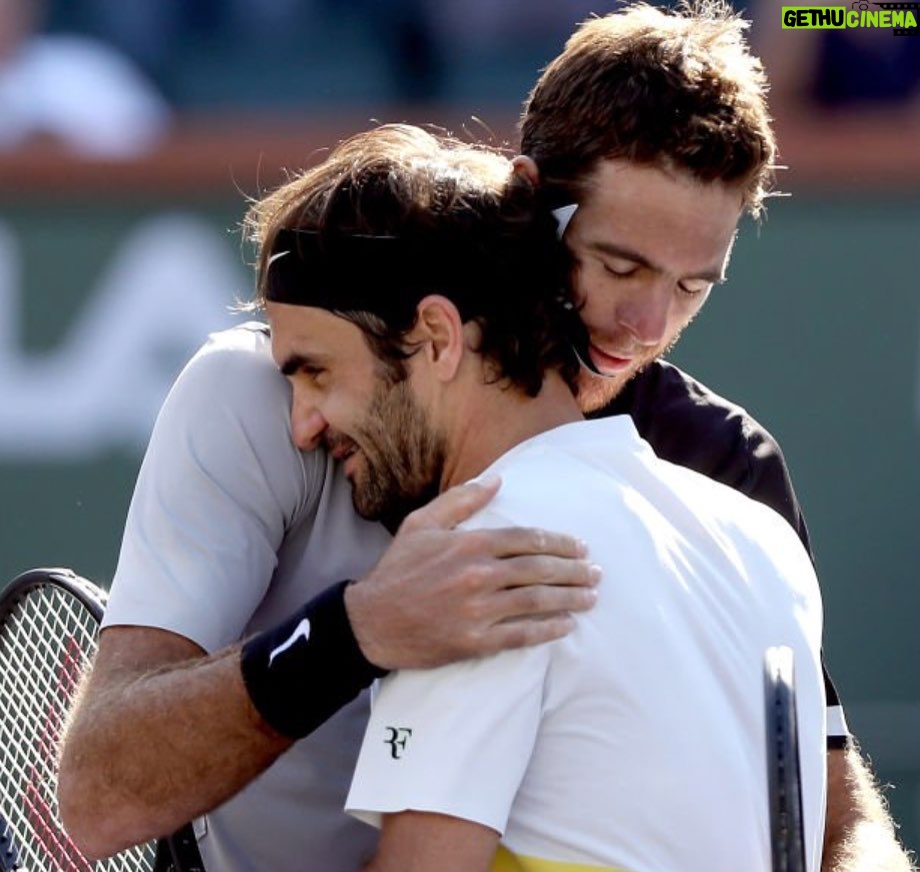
105 76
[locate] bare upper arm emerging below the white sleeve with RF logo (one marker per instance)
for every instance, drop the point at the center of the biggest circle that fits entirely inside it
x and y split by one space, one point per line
414 841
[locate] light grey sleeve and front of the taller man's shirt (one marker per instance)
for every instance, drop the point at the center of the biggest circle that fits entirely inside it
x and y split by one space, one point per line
231 529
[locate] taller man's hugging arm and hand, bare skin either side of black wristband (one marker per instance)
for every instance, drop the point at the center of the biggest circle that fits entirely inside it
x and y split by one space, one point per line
162 733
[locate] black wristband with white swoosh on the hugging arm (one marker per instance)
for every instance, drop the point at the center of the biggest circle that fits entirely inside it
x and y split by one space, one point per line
303 671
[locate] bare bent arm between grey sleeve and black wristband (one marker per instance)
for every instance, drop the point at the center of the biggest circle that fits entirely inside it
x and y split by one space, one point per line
159 734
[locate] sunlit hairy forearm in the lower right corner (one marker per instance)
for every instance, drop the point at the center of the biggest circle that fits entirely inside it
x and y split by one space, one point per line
859 835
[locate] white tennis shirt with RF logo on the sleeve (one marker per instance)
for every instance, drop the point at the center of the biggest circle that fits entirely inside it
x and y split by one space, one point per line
637 742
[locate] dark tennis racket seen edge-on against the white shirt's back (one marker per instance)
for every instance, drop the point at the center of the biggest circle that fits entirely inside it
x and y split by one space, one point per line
787 835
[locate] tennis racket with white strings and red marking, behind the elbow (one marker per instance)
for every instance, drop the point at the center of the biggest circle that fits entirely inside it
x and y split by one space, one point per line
49 621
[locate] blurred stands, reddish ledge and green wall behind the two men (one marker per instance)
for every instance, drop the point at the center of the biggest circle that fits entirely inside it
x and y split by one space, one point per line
132 134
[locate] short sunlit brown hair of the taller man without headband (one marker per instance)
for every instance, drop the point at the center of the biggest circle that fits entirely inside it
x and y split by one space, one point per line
675 89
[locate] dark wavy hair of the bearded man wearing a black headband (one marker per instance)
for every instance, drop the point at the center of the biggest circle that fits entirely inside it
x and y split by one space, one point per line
474 232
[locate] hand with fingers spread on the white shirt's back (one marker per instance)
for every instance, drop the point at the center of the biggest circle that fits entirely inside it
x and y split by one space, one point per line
440 594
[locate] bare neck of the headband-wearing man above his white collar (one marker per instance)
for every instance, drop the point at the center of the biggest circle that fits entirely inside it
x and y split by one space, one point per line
497 418
